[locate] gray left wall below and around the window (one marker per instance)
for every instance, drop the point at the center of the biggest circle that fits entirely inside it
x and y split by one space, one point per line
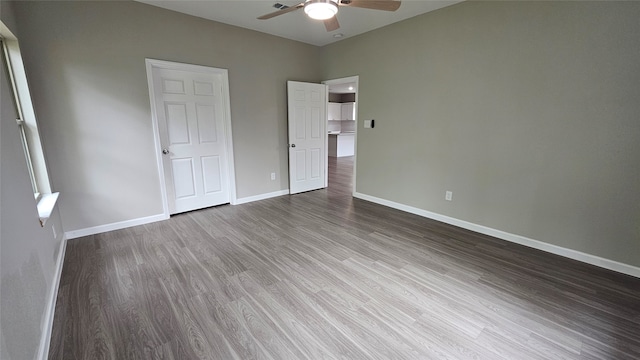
28 252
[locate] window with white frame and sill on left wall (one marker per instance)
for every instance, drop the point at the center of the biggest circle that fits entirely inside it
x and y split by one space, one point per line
26 122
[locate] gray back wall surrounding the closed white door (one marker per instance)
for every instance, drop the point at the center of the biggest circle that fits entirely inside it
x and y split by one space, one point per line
88 61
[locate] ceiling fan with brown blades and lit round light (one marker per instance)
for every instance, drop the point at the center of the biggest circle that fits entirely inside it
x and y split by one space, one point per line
326 10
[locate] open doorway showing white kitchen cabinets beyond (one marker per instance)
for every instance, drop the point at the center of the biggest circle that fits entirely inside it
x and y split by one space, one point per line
342 115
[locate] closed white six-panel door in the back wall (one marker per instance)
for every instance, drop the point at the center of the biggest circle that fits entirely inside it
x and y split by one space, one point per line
190 111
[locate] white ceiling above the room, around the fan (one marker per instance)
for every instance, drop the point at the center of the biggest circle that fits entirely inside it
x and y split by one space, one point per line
296 25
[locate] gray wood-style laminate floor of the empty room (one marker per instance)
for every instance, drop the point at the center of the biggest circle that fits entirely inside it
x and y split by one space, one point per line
320 275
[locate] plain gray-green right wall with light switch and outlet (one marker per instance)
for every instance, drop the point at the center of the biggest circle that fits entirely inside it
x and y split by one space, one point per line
527 111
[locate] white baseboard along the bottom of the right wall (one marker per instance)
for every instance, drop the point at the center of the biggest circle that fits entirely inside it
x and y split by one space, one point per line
536 244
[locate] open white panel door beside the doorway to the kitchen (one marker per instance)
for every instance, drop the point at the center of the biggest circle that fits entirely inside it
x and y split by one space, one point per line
307 136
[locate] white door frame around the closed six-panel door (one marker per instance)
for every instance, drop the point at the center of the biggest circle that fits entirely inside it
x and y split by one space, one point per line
161 64
